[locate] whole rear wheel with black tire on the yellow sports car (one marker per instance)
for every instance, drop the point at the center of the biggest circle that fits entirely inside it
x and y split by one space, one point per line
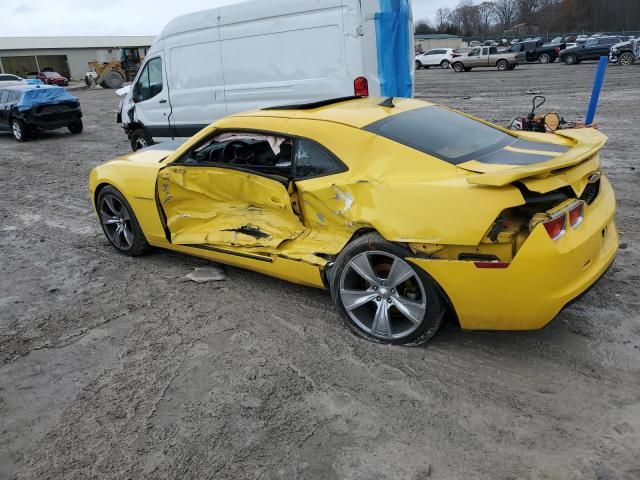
417 290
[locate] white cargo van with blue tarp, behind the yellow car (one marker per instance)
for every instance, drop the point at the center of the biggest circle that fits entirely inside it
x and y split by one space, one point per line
209 64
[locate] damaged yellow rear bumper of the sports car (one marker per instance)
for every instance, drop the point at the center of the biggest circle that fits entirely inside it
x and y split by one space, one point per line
544 277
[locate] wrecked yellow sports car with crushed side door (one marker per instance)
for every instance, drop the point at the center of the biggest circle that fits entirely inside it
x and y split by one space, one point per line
400 208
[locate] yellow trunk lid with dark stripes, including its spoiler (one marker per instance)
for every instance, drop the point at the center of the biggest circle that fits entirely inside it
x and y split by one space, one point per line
535 158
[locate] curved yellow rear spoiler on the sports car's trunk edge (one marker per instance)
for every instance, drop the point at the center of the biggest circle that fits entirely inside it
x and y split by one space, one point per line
588 142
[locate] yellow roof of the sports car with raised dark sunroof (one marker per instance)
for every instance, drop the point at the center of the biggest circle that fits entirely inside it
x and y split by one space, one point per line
352 111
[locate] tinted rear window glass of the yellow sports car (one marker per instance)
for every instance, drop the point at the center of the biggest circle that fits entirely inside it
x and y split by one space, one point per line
444 134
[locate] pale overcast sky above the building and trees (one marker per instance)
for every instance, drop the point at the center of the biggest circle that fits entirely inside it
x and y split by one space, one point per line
22 18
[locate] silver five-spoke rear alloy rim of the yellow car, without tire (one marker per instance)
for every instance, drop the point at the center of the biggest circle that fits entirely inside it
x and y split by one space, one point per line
383 295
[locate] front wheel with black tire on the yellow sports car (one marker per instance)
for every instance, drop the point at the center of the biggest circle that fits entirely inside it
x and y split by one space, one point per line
121 241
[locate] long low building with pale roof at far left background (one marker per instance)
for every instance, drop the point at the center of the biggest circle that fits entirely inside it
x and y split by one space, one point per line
70 56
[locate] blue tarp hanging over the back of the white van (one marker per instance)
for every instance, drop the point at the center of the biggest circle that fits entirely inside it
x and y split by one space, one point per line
394 51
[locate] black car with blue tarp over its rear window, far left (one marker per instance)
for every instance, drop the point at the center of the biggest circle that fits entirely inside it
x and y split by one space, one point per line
25 109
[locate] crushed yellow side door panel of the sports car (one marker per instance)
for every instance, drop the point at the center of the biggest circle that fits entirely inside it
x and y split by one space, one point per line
220 206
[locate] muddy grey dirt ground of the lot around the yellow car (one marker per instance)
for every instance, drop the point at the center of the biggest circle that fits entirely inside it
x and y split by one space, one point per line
114 367
